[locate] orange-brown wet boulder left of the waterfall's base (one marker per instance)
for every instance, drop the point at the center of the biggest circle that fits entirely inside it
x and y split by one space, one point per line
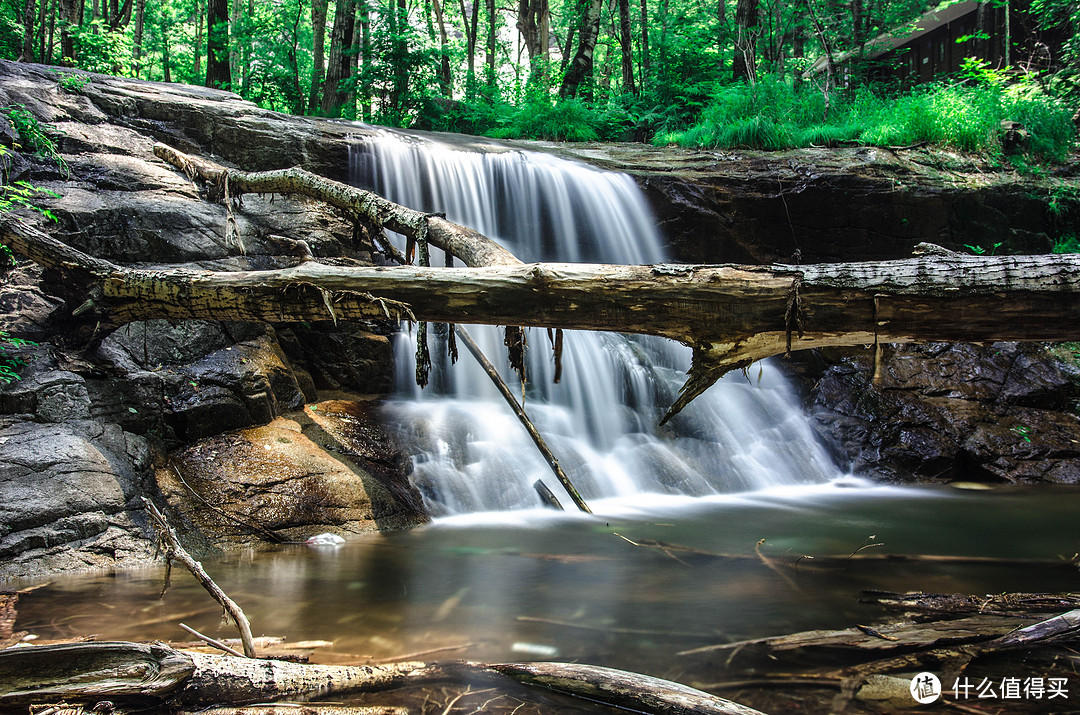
294 478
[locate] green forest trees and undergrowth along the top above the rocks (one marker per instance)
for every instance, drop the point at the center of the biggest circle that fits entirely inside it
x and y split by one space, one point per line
696 73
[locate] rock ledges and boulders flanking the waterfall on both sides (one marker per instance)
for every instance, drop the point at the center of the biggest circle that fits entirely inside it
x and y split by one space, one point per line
244 430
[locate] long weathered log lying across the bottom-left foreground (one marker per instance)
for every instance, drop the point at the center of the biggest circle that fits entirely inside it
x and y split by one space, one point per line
128 672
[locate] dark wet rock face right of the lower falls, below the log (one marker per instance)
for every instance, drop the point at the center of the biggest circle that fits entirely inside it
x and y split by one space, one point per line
950 412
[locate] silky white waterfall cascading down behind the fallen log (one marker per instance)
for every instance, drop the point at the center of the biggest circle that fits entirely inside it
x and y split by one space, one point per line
469 452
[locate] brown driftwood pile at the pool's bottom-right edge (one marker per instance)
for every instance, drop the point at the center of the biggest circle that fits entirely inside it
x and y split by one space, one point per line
874 664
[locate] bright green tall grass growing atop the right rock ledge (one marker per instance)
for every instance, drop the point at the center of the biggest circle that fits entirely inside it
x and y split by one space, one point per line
775 115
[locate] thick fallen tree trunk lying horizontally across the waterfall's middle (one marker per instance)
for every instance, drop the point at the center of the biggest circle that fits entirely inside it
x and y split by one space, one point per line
731 315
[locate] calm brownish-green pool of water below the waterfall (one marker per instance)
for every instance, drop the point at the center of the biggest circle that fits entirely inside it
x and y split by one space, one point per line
632 587
